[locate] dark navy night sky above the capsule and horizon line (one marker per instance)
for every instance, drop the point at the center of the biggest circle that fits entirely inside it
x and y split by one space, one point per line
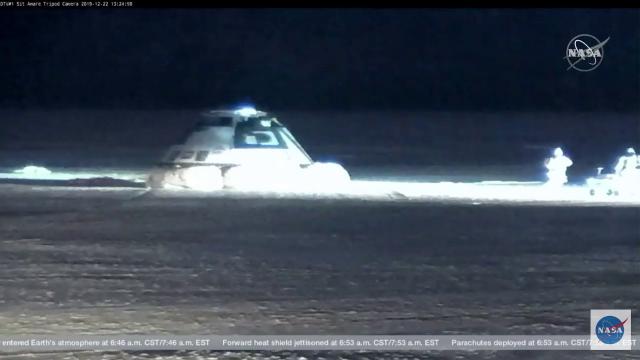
484 59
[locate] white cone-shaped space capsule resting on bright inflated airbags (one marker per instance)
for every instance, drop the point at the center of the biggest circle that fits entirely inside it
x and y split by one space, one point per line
243 149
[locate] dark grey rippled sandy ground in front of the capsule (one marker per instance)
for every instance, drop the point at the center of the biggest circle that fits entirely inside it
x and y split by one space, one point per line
100 261
